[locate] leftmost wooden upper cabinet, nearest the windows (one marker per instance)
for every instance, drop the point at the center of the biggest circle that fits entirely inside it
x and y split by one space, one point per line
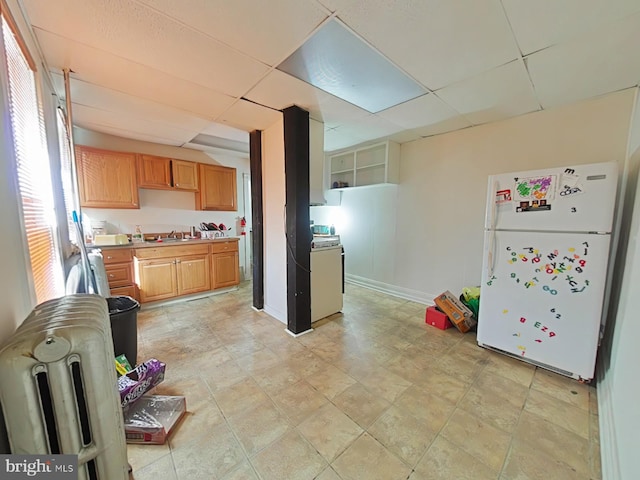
106 179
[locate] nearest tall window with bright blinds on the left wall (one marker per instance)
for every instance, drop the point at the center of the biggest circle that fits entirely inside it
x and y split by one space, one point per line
32 164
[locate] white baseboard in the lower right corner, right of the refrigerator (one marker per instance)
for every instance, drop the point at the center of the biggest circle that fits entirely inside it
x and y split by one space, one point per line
608 444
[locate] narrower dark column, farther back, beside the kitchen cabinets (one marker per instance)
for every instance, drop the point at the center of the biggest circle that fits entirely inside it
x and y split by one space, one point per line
257 244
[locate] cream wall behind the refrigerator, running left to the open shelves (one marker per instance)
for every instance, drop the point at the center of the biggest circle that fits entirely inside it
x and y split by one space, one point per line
432 222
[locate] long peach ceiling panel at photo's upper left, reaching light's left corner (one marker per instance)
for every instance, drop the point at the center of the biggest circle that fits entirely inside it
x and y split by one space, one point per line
140 34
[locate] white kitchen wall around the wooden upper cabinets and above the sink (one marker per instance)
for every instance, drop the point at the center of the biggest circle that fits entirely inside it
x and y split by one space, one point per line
162 210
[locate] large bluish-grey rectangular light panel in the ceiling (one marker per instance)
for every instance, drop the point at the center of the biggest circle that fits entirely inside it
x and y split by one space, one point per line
340 63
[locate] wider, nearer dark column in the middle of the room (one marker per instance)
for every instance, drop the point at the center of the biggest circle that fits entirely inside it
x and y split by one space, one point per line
297 231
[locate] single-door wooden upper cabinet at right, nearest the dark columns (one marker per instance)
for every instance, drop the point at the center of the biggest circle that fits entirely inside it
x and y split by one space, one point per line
217 188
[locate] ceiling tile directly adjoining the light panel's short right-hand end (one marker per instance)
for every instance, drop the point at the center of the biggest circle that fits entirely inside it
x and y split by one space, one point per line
420 112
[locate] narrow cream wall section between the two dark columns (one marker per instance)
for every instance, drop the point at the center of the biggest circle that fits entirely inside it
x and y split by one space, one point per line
274 198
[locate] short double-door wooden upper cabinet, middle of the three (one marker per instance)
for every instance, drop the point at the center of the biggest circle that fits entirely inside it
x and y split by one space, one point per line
167 174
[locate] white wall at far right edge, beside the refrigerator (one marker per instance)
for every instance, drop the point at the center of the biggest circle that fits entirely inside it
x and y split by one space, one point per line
618 386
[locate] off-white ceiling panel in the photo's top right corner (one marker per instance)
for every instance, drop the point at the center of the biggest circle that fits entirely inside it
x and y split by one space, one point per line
543 23
